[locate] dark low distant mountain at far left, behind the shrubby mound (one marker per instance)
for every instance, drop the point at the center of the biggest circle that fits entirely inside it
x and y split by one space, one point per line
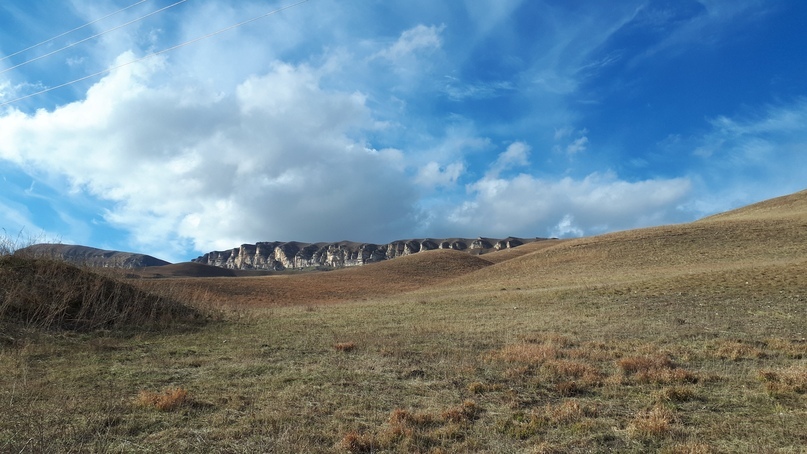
92 257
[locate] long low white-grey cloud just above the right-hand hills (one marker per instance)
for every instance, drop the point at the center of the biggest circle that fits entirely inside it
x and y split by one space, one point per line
528 206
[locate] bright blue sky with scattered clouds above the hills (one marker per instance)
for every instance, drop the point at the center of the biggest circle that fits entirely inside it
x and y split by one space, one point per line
381 120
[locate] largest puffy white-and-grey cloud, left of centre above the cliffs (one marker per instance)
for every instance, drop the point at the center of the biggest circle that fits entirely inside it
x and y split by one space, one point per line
274 160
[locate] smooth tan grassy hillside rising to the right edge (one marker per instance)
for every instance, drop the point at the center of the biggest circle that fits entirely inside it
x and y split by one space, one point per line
771 234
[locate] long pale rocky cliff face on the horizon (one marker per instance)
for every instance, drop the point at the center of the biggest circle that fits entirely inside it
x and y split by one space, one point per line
291 255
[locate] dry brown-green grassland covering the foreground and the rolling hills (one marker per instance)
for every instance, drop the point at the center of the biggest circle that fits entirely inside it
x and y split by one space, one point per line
686 338
